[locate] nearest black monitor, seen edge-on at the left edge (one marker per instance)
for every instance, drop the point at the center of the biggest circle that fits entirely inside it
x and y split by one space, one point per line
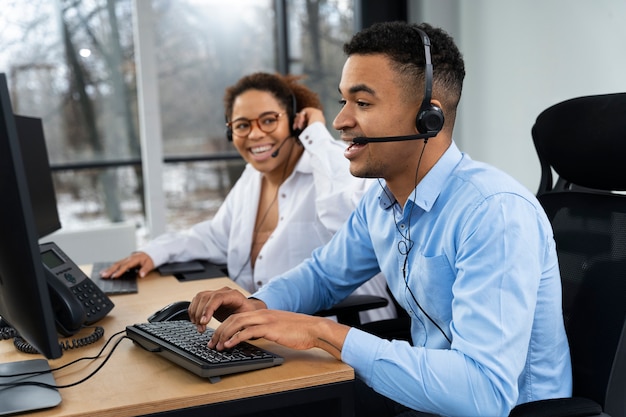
24 297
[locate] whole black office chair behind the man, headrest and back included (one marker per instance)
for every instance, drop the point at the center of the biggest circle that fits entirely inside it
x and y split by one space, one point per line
584 141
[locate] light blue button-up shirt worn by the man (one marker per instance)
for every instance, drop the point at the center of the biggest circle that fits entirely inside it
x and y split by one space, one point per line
472 258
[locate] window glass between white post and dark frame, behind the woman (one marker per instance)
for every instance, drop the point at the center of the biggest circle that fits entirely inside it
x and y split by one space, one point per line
202 47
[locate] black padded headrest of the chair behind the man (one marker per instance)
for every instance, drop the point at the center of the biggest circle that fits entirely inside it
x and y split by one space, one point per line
584 140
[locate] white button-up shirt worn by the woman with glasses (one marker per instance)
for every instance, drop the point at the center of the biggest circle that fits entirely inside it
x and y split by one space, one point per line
313 203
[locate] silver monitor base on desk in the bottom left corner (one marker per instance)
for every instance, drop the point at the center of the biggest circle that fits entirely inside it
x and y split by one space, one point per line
24 398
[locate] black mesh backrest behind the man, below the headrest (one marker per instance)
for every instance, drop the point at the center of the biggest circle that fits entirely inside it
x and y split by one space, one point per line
590 233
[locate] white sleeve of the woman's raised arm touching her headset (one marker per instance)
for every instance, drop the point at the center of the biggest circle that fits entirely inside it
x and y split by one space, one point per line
337 190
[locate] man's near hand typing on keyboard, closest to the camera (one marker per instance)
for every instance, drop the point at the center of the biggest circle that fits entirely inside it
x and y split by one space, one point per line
296 331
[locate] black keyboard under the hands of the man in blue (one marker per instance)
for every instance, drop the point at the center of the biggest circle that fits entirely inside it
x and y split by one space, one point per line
181 343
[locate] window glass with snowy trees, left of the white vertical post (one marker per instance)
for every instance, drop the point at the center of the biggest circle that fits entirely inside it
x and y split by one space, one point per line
71 64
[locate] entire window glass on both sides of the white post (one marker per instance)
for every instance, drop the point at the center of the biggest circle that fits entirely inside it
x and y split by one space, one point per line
73 65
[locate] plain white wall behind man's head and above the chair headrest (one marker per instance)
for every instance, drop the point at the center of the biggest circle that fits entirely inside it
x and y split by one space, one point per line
521 57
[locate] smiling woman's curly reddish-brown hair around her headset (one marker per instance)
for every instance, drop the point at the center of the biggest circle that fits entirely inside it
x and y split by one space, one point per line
286 89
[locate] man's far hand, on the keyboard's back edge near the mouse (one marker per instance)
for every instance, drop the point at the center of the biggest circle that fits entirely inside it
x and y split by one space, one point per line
220 304
